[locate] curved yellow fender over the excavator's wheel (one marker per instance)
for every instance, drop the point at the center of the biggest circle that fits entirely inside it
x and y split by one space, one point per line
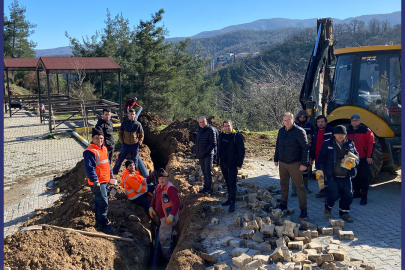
371 120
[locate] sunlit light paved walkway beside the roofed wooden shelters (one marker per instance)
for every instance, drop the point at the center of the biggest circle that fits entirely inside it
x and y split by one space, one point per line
32 161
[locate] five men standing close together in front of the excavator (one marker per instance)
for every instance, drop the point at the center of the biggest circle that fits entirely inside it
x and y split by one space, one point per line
341 156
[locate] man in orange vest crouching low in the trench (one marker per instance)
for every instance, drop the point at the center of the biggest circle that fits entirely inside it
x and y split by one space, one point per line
136 187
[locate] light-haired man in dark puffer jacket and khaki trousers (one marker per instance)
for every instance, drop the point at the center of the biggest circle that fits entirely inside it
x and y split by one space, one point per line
292 154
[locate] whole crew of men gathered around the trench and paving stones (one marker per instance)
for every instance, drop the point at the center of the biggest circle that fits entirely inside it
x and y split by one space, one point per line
299 145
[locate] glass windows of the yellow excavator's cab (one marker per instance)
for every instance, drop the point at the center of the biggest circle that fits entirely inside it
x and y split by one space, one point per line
371 80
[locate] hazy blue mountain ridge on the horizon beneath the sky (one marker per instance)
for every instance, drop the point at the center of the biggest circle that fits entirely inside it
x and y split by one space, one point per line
264 24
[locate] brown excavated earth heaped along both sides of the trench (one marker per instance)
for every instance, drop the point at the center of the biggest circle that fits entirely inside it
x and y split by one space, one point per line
50 248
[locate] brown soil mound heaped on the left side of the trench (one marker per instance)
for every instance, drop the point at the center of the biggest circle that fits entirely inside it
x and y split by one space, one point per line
54 249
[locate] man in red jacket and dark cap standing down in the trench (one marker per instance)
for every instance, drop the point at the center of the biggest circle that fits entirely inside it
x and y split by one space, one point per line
166 202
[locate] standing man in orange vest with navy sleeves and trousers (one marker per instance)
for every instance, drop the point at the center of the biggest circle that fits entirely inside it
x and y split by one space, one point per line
99 174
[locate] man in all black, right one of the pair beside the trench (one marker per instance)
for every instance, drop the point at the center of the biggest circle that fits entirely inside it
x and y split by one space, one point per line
231 152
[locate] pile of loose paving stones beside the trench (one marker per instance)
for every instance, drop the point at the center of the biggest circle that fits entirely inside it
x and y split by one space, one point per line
265 229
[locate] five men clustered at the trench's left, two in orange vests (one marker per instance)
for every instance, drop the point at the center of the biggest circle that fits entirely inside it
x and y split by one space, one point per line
154 193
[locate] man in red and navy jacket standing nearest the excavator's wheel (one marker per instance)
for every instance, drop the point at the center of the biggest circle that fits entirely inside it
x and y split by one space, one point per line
363 139
